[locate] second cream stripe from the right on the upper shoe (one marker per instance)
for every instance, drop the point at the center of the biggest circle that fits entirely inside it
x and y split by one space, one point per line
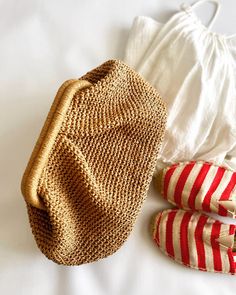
205 187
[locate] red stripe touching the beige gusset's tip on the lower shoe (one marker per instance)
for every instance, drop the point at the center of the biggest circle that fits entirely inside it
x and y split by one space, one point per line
215 233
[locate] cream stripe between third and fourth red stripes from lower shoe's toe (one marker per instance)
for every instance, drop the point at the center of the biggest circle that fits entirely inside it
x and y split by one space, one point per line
193 257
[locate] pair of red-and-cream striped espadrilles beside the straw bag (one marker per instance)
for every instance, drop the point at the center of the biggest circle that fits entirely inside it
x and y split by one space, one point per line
185 234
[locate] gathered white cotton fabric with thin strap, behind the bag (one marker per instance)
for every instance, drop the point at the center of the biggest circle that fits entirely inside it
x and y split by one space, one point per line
194 70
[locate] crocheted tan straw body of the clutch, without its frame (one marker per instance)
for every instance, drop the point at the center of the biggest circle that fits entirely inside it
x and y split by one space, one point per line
100 166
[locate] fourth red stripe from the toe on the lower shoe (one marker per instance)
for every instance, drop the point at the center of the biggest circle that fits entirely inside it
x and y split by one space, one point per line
199 241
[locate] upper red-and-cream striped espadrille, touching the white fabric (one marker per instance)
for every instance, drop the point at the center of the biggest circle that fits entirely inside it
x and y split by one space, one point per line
200 186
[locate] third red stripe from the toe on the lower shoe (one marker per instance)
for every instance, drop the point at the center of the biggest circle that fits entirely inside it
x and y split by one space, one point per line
184 238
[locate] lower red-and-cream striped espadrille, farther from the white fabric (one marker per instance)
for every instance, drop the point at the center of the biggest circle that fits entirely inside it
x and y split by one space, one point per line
196 240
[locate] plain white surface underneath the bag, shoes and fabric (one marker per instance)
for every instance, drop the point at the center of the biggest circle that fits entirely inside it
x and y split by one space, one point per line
43 43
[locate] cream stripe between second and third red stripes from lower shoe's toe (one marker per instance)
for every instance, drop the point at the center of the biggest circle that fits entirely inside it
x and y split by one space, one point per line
176 234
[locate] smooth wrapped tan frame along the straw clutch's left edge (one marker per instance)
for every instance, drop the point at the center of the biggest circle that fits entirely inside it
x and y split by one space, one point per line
46 140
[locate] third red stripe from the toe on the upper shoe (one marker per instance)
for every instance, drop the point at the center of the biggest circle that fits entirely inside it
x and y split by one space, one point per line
197 184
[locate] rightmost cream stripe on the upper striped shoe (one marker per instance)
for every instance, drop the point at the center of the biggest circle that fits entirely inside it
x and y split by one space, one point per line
214 205
